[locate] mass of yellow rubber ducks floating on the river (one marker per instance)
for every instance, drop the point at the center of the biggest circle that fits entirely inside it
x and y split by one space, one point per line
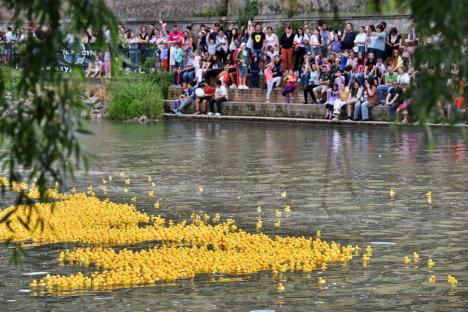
204 244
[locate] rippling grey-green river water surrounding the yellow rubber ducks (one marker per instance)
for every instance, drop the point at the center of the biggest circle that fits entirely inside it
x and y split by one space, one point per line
338 181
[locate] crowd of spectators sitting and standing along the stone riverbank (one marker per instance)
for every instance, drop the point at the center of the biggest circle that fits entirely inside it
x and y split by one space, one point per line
348 70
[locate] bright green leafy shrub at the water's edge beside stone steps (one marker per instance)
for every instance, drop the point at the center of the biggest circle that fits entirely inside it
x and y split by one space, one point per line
134 99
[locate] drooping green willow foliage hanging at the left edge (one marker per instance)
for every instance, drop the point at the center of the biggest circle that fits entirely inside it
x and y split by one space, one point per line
38 133
